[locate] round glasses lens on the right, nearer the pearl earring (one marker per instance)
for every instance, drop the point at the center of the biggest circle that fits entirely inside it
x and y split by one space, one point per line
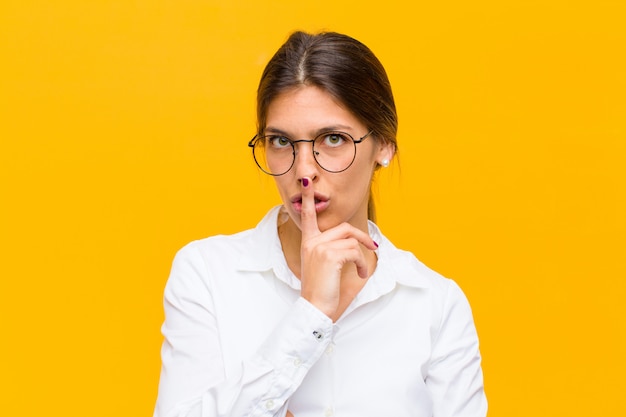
334 151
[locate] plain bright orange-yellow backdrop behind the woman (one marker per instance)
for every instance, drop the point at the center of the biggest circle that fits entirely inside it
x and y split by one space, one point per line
123 129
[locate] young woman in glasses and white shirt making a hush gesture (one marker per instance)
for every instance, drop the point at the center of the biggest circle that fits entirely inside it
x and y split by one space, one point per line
314 312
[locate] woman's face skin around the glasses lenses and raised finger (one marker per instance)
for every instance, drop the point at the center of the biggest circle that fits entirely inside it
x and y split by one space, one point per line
303 113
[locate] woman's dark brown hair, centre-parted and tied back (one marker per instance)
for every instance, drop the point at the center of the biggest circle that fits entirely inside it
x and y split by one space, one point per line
345 68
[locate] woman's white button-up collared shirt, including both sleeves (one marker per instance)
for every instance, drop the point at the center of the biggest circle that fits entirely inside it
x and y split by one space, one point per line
240 341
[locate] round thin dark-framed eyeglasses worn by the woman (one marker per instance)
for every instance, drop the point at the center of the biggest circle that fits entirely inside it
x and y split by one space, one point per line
334 151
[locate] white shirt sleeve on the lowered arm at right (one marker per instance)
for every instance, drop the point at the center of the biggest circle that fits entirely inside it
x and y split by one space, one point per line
455 377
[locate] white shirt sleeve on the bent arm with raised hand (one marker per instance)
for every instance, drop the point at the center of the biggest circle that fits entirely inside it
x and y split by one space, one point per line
193 379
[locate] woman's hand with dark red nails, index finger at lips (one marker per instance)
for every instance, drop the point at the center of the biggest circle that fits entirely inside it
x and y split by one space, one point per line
324 255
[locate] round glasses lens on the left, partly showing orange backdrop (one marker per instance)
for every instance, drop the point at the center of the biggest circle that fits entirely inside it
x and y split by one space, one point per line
273 154
